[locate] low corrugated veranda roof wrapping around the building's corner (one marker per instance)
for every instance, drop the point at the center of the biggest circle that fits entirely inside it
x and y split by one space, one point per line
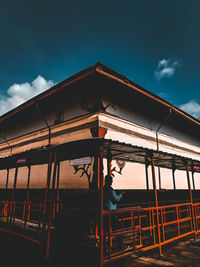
92 147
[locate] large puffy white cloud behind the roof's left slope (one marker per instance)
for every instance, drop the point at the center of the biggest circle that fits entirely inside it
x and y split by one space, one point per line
19 93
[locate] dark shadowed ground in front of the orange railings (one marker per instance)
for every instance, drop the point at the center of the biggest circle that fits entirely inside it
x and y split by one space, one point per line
185 253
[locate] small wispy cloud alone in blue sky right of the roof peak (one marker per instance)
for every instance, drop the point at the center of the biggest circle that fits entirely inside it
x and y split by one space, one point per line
165 68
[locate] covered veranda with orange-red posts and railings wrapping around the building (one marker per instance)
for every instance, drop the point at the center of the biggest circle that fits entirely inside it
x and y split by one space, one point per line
141 227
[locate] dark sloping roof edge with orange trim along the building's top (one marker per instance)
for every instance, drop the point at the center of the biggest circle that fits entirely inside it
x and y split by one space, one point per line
105 72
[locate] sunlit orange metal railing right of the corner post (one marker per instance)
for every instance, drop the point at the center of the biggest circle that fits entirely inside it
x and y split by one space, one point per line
128 230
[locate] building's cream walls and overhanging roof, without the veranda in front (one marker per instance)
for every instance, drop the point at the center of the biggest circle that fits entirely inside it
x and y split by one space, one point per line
99 102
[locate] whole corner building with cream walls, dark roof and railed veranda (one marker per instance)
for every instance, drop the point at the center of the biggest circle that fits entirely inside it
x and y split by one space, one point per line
100 114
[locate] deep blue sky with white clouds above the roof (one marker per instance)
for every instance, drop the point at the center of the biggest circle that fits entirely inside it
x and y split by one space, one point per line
155 43
